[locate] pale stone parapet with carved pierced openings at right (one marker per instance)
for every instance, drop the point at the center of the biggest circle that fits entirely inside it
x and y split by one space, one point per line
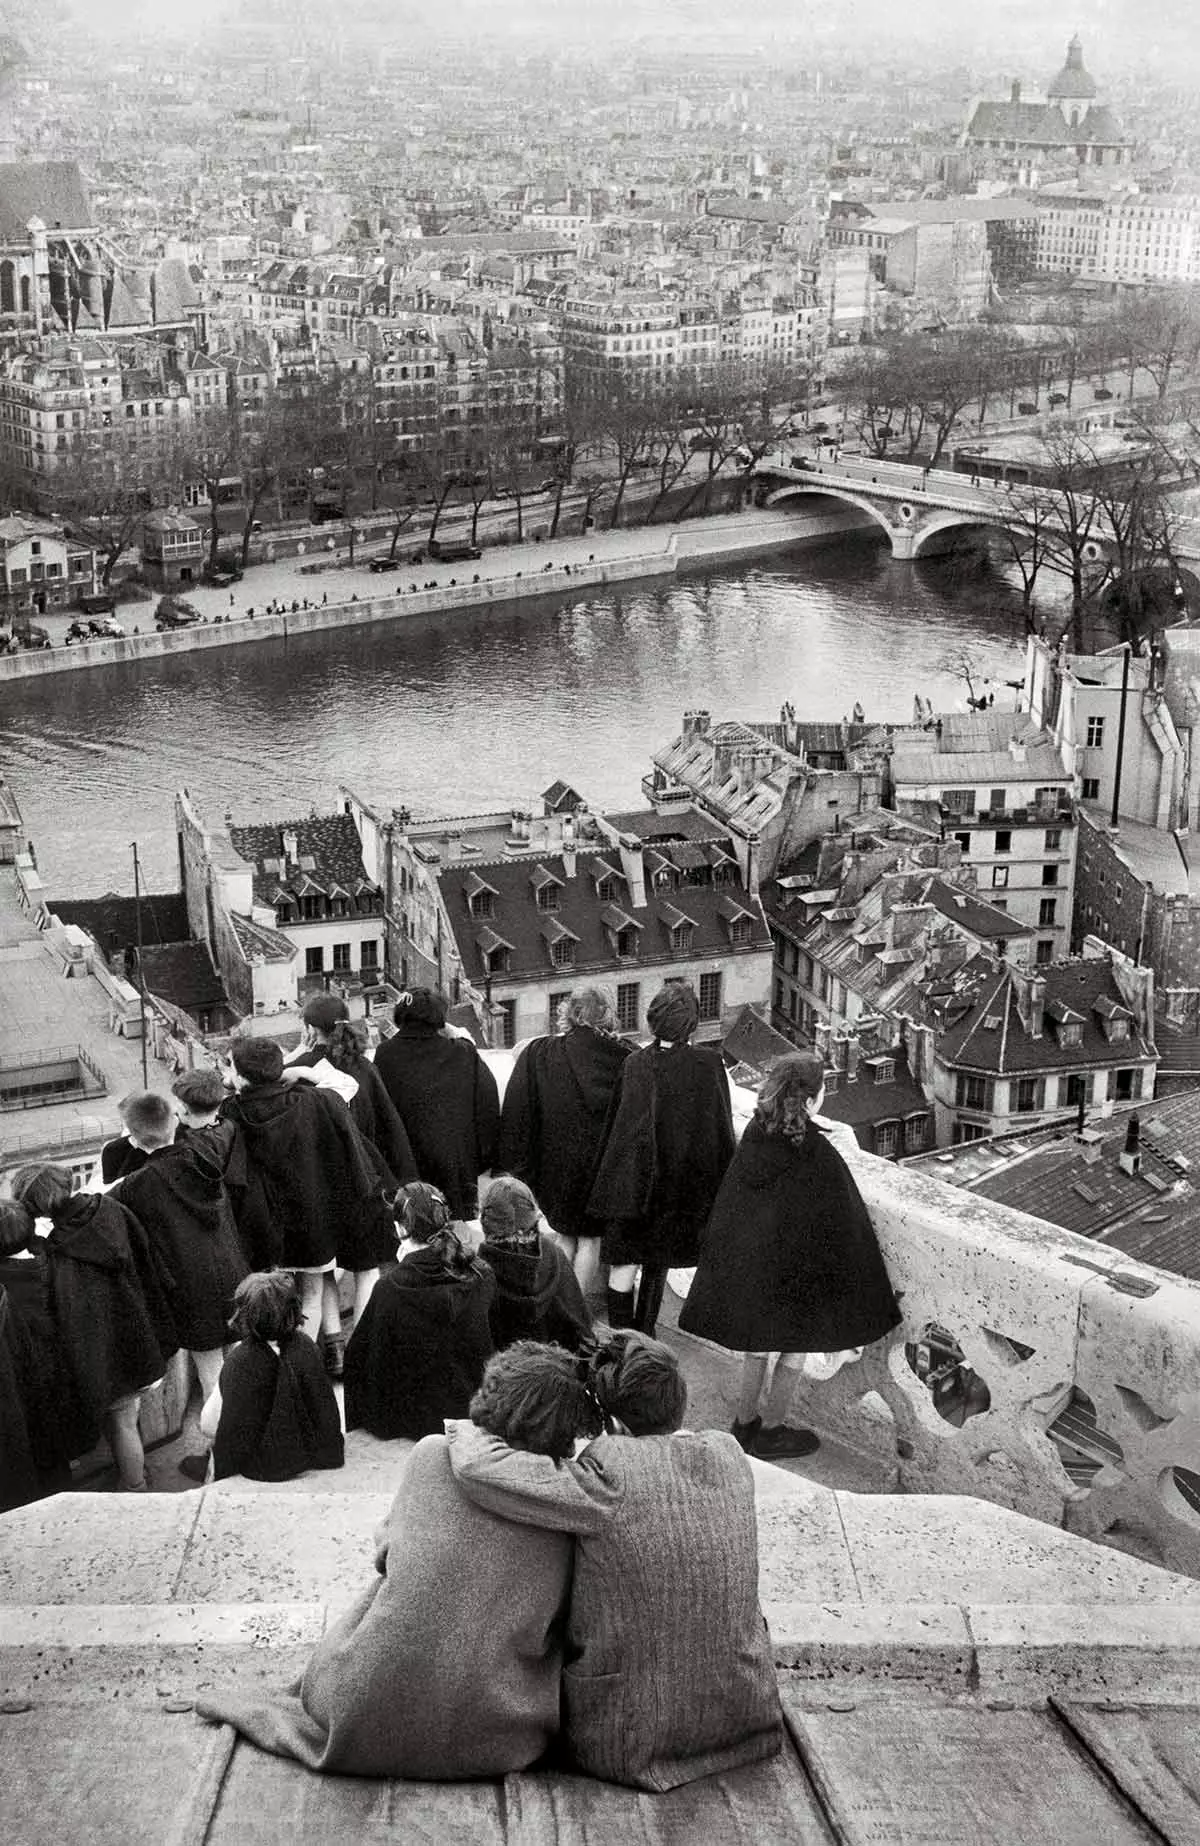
1033 1369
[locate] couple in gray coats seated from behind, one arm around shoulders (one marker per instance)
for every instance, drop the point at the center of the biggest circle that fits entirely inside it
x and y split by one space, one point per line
527 1590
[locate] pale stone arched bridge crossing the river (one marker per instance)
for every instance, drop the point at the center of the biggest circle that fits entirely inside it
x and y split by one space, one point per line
918 509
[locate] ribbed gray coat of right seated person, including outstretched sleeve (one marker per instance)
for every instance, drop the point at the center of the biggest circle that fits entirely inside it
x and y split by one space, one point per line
669 1670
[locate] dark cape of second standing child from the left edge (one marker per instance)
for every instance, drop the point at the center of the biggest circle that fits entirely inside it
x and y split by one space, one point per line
110 1297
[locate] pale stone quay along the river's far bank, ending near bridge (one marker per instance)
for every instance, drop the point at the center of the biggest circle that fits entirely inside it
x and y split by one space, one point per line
678 549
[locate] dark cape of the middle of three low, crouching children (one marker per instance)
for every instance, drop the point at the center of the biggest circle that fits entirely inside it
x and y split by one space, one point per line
420 1349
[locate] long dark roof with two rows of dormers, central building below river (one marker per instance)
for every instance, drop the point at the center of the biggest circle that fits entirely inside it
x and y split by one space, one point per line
523 928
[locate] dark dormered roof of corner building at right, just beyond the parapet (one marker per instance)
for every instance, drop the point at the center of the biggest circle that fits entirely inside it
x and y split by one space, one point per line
1007 1048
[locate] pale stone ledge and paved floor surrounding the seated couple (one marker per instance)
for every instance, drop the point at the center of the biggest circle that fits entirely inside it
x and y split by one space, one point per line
950 1673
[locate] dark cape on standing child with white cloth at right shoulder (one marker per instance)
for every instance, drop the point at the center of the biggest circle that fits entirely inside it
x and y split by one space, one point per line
309 1179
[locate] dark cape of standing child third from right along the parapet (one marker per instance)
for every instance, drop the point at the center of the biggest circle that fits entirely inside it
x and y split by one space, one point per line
553 1121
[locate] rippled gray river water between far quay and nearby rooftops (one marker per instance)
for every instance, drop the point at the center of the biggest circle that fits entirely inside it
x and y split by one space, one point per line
479 710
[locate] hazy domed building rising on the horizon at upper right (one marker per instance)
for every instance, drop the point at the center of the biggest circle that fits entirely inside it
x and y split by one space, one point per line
1068 123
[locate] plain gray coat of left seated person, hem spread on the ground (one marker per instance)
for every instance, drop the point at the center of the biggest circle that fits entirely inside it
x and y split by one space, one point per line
448 1666
